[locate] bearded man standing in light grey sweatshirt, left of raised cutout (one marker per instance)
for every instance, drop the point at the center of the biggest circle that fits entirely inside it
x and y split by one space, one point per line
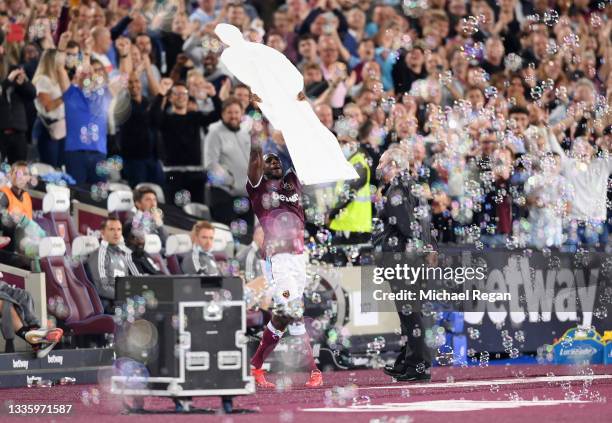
227 156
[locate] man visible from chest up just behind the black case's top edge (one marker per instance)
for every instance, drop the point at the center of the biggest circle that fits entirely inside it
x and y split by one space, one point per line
201 261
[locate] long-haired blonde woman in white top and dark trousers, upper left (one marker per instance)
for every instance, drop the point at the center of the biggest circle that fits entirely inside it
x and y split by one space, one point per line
50 126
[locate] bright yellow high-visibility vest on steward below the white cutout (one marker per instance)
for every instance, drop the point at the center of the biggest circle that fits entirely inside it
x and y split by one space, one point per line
357 215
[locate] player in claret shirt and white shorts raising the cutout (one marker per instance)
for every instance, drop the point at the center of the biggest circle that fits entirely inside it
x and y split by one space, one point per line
276 198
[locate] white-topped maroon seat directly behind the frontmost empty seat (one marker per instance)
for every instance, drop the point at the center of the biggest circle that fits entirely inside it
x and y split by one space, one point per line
56 209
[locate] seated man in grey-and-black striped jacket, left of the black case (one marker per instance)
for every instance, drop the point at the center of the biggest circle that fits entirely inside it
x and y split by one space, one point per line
113 259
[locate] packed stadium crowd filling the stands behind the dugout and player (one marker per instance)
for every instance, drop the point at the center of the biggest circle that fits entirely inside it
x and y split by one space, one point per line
500 110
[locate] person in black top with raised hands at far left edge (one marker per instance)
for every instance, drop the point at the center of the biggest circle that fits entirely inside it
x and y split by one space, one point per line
16 92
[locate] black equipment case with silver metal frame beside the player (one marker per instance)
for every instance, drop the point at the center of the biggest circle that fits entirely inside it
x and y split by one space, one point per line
205 354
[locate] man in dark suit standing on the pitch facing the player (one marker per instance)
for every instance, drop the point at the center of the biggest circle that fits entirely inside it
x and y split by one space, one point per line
399 234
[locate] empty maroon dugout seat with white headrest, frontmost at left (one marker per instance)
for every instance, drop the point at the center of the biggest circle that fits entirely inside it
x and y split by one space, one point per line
83 313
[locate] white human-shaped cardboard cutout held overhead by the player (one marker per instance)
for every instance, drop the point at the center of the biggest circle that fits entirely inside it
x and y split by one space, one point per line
314 150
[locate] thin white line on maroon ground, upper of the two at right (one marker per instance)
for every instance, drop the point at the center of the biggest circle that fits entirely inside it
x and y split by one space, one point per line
473 383
